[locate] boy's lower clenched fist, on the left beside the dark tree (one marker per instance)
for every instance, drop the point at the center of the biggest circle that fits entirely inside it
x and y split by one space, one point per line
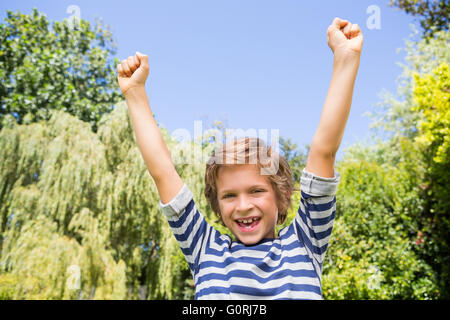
132 72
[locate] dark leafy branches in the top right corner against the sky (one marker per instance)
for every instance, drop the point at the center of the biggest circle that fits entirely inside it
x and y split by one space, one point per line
434 15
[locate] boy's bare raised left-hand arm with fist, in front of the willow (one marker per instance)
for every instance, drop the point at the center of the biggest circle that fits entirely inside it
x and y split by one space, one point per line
132 74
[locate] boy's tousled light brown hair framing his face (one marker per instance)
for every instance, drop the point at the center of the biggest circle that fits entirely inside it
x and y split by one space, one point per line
250 150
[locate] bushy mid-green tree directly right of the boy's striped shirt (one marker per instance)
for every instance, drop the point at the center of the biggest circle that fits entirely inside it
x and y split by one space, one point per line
371 254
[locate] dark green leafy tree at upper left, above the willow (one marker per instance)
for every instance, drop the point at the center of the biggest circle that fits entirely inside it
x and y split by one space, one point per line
57 66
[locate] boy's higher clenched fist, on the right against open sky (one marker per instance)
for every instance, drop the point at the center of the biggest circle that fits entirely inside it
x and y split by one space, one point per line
344 37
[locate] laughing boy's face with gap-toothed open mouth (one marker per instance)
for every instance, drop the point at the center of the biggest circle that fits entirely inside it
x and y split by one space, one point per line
247 202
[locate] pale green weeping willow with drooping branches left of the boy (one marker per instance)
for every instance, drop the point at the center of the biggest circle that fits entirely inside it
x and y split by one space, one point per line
71 198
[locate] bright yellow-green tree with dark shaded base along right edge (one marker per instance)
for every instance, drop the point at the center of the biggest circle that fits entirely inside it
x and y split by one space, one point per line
432 99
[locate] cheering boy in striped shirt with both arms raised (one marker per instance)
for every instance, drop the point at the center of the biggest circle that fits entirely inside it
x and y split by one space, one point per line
260 264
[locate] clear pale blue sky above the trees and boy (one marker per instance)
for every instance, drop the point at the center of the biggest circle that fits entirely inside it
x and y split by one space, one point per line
254 64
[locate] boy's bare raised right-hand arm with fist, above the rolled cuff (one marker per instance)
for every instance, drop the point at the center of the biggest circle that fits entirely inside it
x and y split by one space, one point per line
345 40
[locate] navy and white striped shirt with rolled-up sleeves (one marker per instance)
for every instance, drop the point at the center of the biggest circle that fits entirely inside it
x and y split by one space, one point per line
287 267
